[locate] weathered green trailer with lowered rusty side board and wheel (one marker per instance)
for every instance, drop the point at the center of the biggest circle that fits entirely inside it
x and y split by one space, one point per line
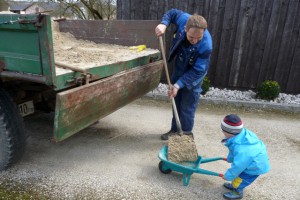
32 78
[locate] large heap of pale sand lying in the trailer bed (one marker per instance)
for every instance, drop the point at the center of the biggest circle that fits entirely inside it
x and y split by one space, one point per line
87 54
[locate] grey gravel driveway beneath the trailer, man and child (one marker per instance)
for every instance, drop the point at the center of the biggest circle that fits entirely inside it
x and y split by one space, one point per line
117 158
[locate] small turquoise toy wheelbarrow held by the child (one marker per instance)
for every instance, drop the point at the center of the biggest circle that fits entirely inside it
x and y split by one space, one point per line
186 168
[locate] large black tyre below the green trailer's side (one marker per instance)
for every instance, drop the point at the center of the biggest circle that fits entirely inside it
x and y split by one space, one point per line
12 134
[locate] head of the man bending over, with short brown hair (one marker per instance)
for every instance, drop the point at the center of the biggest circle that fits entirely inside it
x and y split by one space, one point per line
195 28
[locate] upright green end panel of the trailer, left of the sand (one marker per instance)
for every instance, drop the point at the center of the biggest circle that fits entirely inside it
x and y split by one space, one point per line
26 46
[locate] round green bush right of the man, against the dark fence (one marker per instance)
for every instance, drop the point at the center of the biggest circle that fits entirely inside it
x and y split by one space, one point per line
268 90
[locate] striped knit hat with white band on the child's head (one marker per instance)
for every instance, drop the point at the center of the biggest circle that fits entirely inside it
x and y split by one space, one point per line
232 124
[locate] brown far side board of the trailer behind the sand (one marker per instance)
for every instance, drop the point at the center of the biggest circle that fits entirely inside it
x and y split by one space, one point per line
122 32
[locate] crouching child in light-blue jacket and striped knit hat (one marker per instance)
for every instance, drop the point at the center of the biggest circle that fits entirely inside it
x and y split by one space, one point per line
247 155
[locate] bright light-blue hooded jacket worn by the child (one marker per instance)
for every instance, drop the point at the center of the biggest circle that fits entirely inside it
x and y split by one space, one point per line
247 154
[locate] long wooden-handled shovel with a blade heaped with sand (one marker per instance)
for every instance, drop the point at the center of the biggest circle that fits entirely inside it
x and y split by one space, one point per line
181 148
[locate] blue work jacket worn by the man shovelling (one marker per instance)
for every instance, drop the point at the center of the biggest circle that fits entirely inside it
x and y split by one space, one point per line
191 63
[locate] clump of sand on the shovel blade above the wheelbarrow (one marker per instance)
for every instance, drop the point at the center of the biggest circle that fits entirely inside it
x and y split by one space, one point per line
182 149
